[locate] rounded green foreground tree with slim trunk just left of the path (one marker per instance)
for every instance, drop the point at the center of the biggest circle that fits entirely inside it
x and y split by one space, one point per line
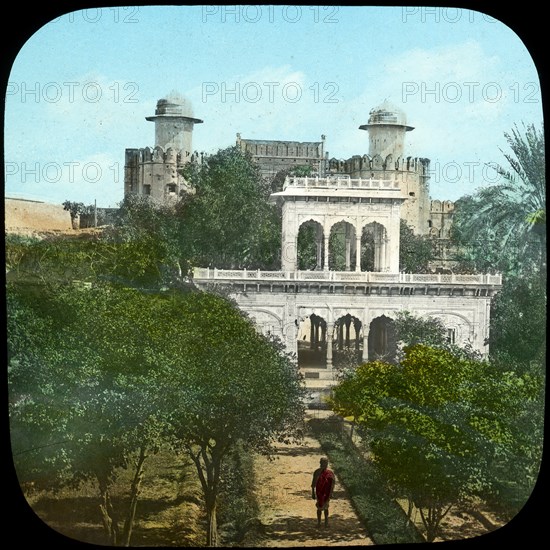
230 385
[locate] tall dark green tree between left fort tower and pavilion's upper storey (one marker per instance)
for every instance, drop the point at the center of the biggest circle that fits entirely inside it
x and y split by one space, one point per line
229 222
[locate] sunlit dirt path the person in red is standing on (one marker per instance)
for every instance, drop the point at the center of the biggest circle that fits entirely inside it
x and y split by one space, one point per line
287 509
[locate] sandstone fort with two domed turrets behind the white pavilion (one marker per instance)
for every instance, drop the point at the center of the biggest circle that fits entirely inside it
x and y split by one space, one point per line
155 171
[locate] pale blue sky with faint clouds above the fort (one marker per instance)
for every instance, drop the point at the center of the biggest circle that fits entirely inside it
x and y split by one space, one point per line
81 87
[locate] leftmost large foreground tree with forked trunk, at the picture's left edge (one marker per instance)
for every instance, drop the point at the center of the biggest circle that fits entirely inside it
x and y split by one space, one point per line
84 402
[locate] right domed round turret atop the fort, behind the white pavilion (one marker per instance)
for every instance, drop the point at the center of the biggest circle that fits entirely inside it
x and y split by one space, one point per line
387 127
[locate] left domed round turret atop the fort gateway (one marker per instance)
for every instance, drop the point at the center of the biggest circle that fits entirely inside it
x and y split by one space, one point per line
174 123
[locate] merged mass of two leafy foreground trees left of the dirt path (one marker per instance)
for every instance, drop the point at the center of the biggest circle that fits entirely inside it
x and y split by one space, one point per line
102 377
